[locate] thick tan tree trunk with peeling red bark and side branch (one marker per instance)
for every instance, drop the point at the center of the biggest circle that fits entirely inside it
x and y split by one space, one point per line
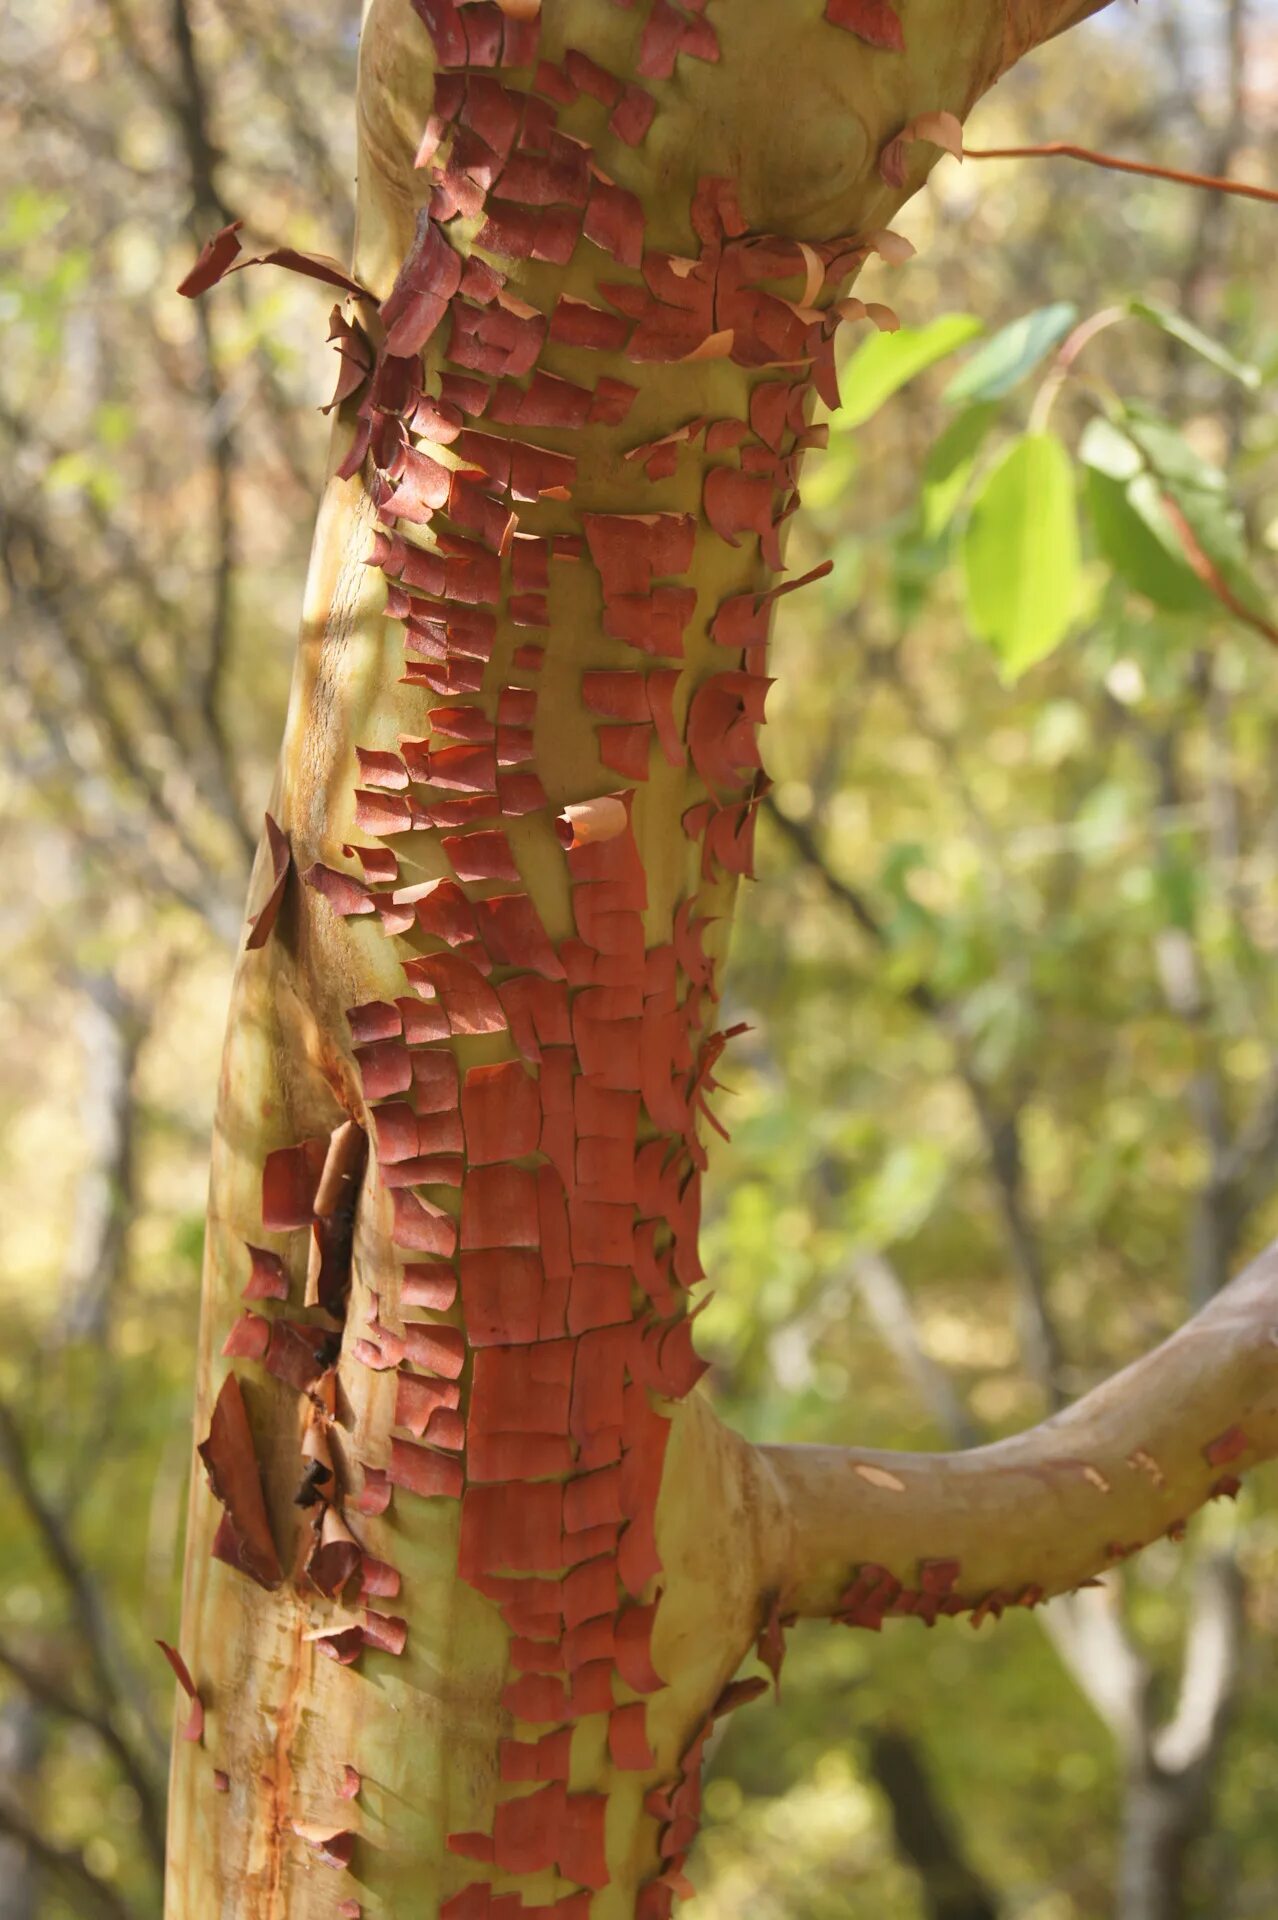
471 1562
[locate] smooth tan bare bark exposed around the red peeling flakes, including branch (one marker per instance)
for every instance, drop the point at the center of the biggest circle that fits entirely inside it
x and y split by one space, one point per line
797 114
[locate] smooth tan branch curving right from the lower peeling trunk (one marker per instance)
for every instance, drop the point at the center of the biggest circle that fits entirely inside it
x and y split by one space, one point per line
1047 1510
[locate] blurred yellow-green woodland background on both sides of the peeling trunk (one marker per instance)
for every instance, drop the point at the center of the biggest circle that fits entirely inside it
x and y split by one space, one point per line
1008 1105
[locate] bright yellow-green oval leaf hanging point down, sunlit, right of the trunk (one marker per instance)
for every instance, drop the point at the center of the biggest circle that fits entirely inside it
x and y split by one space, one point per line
1022 554
